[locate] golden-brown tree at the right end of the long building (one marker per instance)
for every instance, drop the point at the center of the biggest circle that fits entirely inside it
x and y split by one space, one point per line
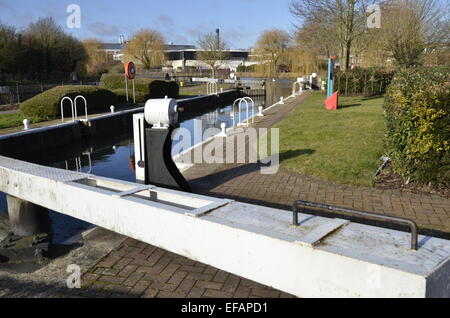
271 47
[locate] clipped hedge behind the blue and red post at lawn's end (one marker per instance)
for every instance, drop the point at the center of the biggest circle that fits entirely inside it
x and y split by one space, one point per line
363 81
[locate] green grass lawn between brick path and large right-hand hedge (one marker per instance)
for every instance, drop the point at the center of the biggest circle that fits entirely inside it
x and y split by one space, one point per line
341 146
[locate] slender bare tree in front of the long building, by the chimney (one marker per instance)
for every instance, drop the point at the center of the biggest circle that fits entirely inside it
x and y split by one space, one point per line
213 51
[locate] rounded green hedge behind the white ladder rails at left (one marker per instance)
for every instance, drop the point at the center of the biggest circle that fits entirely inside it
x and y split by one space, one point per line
47 105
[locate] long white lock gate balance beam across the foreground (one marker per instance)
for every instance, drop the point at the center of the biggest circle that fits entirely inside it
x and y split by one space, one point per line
320 258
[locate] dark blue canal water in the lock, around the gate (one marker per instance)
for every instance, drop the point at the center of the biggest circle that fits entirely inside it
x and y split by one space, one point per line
112 157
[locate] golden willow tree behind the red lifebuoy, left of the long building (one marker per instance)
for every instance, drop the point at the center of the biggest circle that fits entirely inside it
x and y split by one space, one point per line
147 47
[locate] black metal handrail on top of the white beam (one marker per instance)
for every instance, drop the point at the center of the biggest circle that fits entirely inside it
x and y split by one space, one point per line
364 215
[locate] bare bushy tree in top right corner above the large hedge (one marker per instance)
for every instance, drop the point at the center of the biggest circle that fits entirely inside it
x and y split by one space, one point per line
413 28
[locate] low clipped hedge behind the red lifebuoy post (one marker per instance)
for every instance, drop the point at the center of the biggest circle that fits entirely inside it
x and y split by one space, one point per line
143 86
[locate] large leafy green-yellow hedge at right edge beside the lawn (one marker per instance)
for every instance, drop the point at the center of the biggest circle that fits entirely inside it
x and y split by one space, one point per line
417 109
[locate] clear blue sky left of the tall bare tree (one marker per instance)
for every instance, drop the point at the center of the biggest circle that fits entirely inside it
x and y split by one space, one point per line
180 21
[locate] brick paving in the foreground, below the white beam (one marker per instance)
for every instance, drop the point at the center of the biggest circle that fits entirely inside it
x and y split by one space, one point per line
137 269
